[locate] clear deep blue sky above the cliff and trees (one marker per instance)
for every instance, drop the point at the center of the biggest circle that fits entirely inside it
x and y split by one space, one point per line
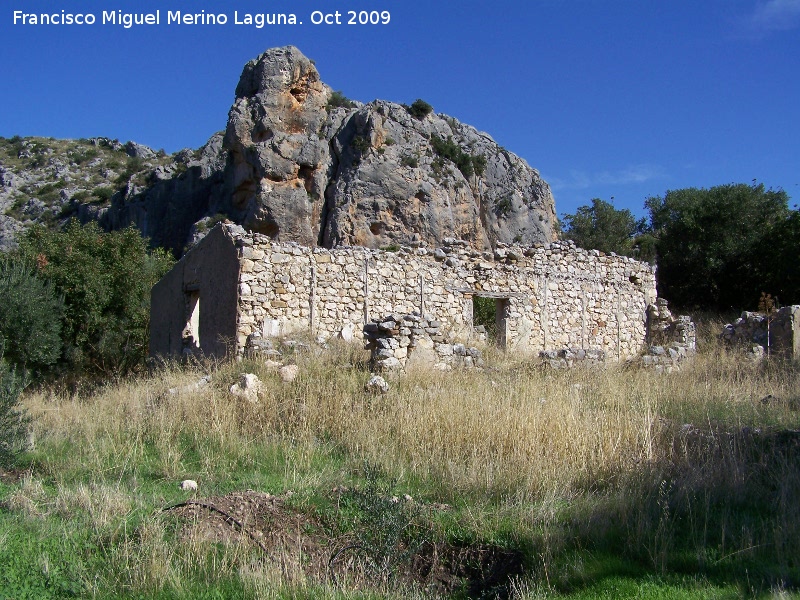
612 98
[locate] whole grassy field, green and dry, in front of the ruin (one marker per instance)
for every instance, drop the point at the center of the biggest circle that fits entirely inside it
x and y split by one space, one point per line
521 483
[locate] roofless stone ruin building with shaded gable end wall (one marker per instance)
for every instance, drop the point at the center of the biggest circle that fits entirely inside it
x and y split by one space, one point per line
235 287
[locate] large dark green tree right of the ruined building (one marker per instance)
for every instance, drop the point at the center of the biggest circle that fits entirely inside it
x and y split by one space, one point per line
713 244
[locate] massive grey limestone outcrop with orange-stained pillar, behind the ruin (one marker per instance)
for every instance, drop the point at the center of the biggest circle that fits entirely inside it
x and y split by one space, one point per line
370 175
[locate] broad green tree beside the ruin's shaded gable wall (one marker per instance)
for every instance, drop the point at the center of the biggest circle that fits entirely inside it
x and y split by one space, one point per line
105 281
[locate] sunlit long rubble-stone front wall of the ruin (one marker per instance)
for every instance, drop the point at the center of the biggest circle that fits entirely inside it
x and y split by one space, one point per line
549 297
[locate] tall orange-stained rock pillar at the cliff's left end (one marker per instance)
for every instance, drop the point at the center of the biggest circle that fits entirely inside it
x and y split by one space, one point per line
280 163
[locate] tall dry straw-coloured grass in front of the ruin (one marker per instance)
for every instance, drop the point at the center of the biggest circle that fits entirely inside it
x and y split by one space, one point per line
606 446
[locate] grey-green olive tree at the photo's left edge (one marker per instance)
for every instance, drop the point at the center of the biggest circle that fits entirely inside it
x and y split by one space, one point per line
30 317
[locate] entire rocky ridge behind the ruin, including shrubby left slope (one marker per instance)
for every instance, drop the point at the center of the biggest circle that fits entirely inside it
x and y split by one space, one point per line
297 162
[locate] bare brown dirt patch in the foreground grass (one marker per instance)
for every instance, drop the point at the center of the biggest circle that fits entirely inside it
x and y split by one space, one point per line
300 544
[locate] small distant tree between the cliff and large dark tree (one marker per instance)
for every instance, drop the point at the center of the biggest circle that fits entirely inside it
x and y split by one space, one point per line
605 228
